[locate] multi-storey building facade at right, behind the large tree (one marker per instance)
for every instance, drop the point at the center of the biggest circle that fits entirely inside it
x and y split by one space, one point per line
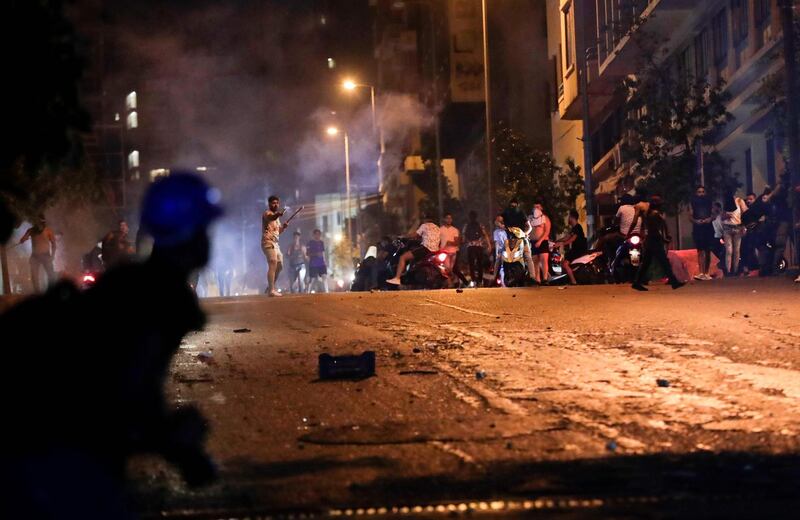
735 41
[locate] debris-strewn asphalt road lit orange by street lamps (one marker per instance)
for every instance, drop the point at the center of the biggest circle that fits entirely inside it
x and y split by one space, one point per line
568 402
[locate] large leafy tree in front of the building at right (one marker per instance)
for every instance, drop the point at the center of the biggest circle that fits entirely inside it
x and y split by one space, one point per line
670 117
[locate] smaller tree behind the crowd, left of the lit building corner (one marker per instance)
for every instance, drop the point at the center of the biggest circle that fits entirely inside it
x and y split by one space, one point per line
533 176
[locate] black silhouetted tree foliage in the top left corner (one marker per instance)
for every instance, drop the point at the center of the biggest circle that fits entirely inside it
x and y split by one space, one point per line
42 157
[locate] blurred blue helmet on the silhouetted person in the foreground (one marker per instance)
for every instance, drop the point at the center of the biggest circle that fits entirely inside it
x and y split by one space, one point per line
176 207
